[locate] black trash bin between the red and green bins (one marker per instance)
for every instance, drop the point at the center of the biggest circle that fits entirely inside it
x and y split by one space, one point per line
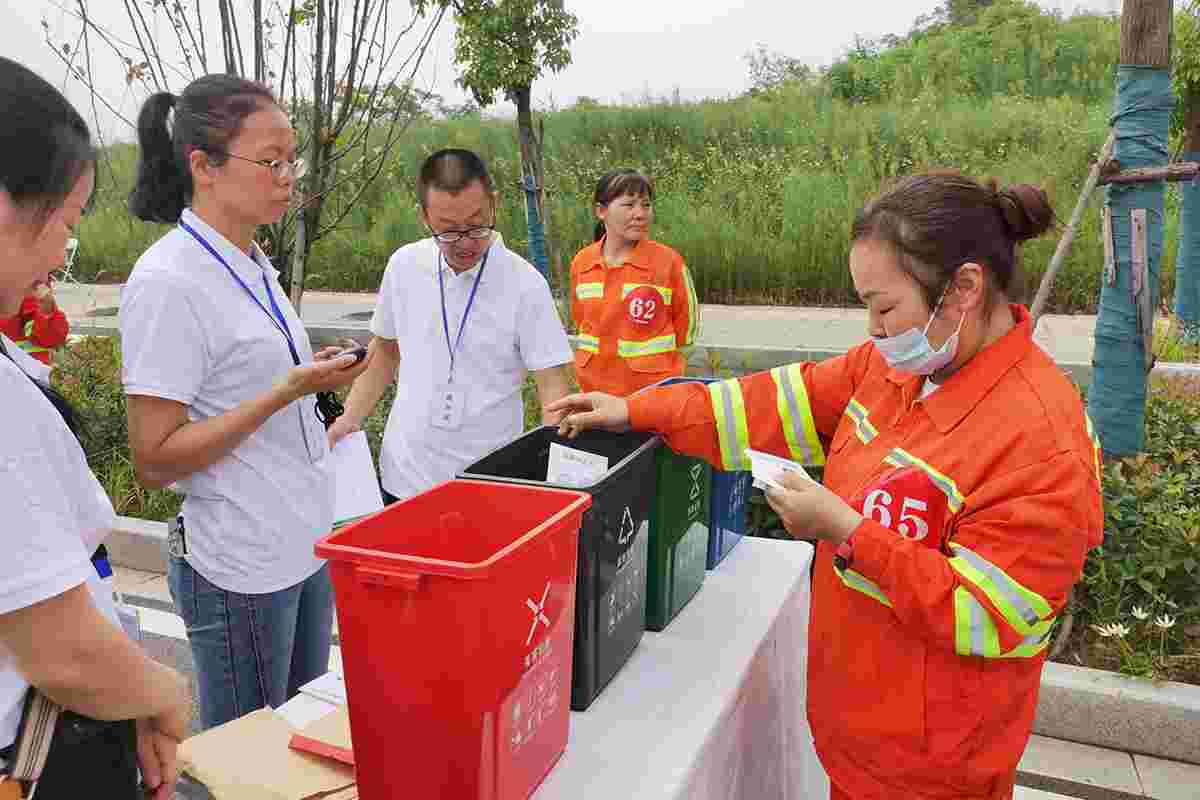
610 599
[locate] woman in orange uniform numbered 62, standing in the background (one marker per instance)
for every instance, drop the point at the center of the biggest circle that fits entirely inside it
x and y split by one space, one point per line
632 297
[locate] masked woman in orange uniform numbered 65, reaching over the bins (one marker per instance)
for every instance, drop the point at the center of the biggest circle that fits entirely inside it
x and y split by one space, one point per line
962 494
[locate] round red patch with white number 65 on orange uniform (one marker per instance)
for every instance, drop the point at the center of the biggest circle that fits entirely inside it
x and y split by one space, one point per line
908 502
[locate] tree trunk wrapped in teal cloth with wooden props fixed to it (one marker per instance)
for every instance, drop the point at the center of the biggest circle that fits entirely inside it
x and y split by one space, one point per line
1117 401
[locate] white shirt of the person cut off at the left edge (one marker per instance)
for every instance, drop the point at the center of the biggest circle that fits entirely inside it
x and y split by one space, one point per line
56 515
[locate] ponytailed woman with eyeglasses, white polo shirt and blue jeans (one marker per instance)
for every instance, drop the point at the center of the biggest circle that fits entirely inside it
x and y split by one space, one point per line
221 381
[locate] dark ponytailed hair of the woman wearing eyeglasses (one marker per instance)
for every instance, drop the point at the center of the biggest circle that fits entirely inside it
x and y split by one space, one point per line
208 116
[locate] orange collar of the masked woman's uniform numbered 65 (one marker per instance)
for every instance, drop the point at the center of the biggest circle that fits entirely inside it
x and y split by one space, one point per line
968 388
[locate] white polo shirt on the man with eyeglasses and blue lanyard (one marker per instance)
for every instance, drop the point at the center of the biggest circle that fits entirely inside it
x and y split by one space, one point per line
513 329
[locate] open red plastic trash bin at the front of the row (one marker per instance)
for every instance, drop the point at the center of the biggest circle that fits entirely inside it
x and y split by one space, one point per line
455 612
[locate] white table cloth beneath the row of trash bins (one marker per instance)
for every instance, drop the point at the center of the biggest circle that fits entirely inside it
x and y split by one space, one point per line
713 708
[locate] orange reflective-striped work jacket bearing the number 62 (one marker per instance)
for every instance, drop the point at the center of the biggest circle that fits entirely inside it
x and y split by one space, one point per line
633 318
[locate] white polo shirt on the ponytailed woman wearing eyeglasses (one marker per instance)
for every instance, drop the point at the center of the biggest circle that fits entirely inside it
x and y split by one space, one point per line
193 335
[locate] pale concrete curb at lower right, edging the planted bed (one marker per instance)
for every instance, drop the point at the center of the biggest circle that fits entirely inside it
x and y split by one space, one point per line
1106 709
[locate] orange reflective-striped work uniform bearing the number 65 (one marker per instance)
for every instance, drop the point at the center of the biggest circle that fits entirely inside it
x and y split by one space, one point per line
981 502
